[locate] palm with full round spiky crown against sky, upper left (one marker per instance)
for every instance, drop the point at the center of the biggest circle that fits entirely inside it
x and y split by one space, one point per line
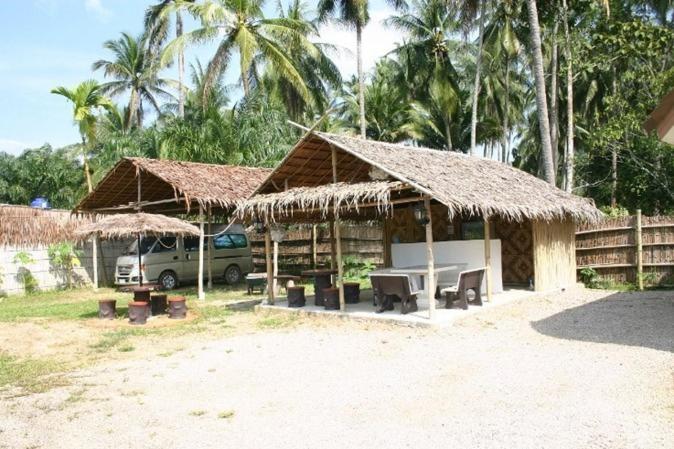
135 69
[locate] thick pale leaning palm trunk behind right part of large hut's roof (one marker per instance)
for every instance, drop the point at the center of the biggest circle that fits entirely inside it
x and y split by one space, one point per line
547 168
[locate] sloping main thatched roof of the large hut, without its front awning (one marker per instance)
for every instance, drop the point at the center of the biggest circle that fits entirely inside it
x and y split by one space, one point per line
465 184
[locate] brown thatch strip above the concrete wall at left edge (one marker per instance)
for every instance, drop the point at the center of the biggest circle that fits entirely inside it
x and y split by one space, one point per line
23 226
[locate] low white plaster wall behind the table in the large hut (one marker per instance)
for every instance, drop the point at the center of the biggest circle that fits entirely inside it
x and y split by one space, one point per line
470 252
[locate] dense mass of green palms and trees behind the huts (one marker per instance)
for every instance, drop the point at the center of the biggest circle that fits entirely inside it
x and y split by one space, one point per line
559 88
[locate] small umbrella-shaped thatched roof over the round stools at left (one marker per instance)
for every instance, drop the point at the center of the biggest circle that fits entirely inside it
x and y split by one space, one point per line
130 225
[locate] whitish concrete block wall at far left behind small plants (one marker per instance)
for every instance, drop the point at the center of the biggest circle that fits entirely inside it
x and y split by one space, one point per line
47 276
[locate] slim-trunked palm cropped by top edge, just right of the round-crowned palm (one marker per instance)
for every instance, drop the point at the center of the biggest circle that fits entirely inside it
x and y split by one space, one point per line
157 25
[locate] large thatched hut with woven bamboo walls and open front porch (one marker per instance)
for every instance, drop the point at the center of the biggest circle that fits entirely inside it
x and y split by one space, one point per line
328 177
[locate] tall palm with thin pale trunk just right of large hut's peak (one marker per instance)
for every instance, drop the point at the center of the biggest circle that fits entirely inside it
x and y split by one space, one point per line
354 14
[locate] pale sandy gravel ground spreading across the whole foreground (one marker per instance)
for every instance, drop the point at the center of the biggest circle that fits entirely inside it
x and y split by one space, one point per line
583 369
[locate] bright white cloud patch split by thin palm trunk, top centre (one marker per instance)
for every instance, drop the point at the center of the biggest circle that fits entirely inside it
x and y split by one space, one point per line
378 40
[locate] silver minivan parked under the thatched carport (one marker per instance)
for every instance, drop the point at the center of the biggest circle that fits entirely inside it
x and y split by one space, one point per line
170 261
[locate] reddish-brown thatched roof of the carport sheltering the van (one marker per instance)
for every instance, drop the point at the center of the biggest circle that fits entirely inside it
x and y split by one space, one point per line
172 186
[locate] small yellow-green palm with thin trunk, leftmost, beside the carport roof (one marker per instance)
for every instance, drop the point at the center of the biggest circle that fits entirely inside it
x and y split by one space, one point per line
86 98
